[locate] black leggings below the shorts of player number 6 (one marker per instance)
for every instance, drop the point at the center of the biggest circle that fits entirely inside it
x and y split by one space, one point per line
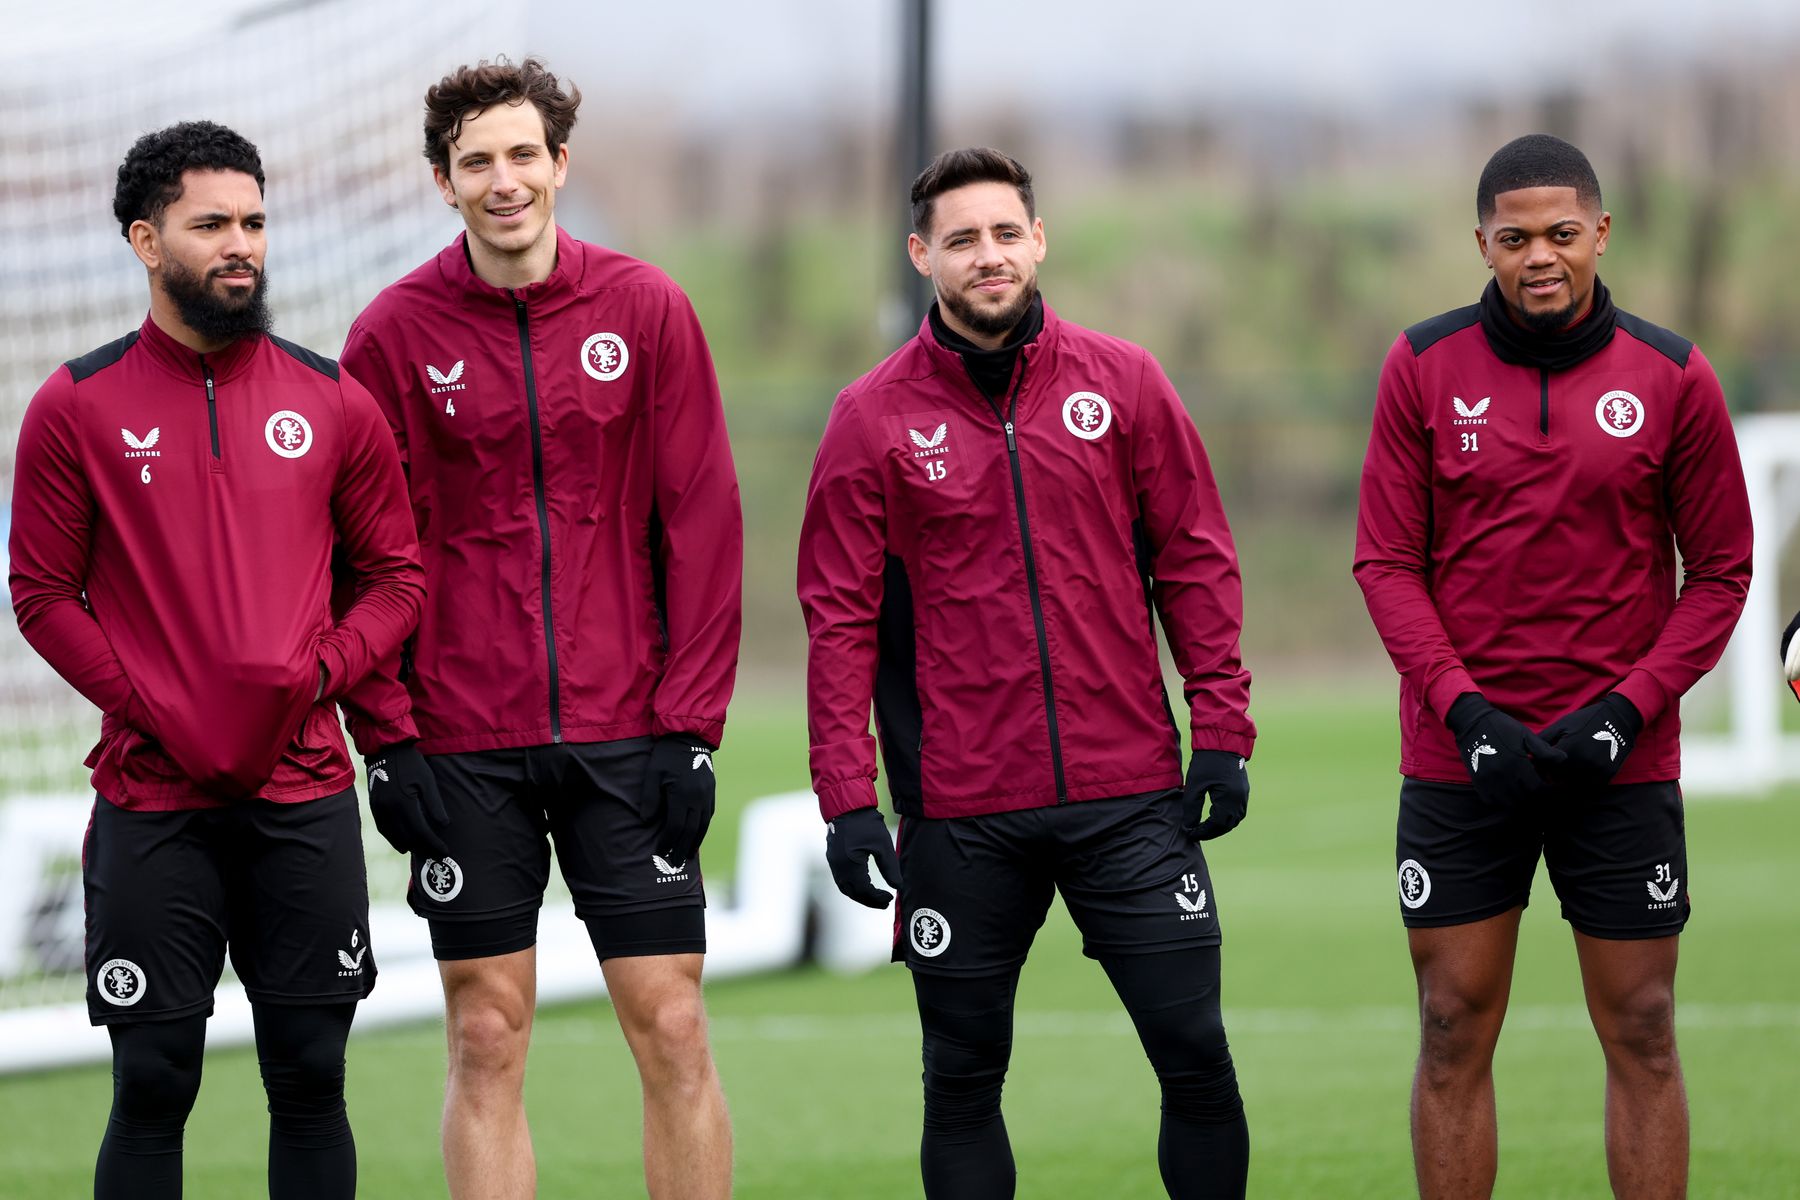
157 1077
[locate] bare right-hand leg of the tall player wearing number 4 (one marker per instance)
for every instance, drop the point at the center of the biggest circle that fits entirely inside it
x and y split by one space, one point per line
687 1127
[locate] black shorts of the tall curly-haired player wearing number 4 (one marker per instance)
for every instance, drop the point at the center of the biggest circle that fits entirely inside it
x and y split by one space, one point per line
505 810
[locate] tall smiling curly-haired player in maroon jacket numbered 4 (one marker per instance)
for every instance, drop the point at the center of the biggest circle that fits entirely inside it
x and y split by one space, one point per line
579 512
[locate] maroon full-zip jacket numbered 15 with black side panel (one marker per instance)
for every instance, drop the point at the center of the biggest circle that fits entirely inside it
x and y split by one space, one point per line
996 605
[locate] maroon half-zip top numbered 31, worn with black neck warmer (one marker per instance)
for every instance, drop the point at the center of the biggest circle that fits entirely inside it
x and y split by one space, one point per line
1518 533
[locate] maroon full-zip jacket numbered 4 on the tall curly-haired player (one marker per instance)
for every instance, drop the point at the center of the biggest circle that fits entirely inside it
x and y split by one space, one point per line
575 499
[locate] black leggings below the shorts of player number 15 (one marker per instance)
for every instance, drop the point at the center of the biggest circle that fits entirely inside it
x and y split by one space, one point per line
1173 998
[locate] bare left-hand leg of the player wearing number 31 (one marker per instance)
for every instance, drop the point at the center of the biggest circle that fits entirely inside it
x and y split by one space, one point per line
1464 980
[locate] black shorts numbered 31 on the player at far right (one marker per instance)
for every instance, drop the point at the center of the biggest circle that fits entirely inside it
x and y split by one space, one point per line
1617 857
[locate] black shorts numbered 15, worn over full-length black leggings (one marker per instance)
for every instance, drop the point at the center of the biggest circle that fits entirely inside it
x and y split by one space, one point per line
978 888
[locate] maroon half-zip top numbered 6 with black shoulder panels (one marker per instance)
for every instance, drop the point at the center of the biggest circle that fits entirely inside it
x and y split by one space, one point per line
174 524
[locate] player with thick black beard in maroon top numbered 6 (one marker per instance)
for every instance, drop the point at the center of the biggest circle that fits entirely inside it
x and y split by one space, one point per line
175 512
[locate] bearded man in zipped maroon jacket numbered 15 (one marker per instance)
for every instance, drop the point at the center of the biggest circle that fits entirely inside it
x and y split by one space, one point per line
998 515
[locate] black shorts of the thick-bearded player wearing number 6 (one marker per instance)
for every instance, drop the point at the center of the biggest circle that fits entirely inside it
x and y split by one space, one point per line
282 886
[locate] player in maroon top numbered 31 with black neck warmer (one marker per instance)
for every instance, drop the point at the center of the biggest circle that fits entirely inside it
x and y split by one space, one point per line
1538 463
